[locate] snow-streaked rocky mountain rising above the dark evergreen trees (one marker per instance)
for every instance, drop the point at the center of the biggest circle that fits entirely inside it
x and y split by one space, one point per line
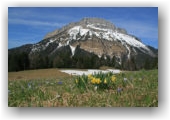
93 36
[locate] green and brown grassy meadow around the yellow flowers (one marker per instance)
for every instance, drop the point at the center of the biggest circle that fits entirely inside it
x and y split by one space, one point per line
52 88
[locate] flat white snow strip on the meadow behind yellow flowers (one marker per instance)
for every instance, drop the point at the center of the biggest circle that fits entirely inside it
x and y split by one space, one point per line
89 71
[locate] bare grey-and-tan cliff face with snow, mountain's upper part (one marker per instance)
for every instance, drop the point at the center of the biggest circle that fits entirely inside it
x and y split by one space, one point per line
97 36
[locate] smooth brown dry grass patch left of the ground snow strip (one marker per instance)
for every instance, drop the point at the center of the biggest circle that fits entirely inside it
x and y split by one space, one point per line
36 74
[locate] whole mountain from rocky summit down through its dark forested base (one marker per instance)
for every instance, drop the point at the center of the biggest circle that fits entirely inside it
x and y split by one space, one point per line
89 43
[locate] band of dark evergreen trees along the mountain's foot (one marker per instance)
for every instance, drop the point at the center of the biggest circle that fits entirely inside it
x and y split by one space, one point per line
83 60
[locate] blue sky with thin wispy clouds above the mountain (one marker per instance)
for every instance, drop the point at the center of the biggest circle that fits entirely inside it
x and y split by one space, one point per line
30 24
